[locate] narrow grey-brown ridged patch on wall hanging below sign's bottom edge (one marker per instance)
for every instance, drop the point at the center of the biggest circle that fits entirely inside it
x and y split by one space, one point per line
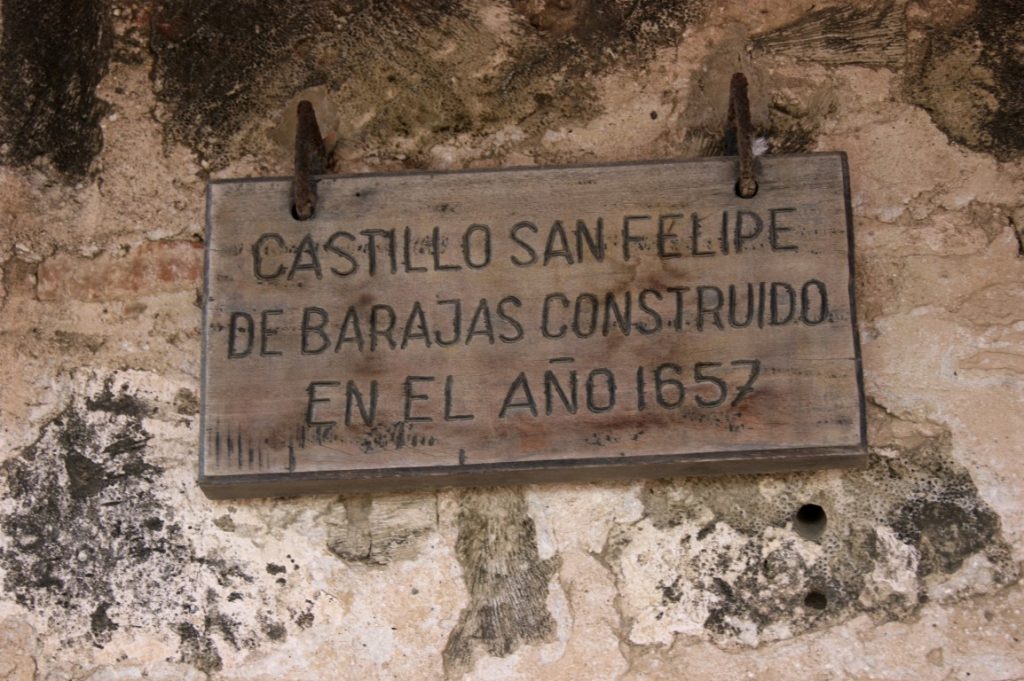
506 579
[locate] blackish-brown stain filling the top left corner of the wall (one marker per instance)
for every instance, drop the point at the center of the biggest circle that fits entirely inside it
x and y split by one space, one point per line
53 57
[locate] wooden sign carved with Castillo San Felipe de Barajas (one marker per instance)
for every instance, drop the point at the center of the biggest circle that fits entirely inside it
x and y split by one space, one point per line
491 327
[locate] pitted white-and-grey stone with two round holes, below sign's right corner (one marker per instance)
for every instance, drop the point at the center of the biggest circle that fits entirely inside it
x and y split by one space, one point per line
716 562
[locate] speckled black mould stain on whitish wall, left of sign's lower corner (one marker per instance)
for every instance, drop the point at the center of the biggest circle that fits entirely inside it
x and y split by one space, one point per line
81 495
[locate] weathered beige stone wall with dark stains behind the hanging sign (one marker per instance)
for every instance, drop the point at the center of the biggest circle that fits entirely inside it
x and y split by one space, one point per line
113 117
